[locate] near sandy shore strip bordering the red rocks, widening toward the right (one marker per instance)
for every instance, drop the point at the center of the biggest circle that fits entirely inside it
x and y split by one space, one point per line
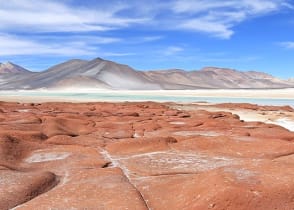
282 118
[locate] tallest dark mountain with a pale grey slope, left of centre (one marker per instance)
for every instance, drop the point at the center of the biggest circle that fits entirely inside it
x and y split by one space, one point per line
78 73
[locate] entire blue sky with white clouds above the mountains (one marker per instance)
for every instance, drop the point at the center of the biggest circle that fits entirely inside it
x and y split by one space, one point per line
151 34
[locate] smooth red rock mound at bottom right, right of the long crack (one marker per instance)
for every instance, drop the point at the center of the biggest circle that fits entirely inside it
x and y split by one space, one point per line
225 188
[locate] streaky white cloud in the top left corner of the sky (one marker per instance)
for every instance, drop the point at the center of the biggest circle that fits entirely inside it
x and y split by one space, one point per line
54 16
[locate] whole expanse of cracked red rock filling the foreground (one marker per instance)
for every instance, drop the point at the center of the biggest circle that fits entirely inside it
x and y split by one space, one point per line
141 156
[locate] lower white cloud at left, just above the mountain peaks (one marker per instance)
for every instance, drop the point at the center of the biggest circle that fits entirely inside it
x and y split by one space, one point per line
77 46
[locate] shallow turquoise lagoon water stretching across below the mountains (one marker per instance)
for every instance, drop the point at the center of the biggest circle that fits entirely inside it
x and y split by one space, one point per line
139 96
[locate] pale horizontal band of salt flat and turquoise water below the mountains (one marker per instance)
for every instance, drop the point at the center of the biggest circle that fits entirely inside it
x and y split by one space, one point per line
183 96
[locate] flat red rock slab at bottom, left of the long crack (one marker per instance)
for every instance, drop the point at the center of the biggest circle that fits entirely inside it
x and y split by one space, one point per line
90 189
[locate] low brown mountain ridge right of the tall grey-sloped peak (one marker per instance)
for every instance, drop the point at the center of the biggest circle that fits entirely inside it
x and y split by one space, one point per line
213 77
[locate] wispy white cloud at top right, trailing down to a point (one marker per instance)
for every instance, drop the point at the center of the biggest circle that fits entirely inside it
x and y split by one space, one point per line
219 17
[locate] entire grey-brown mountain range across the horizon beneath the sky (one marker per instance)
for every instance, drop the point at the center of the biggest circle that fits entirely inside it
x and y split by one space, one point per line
104 74
